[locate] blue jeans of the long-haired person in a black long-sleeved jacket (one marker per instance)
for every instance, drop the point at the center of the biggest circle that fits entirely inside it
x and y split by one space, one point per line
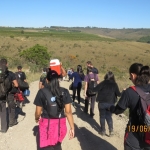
105 114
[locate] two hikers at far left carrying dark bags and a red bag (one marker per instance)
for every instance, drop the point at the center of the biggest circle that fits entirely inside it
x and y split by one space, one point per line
13 87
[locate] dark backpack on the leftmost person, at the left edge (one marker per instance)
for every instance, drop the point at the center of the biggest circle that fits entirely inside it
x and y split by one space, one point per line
5 83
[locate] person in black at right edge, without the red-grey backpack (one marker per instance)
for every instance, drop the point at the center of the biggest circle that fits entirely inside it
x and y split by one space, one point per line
140 77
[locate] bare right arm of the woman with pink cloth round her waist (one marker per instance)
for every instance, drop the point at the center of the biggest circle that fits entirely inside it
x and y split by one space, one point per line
69 116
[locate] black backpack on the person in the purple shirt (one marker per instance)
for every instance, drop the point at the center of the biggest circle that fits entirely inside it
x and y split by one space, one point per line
91 84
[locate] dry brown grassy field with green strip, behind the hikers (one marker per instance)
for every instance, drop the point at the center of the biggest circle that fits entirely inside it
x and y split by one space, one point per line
74 48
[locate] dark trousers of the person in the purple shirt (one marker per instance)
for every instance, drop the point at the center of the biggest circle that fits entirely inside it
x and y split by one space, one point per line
92 106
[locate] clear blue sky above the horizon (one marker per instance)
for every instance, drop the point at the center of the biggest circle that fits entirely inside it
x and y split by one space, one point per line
75 13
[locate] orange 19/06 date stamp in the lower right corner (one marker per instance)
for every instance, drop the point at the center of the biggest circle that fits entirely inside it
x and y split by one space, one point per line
139 128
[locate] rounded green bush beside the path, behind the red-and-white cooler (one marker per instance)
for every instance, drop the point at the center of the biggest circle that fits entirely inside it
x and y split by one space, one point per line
37 55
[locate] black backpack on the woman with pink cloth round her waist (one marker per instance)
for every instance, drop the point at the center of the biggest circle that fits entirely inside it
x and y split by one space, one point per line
53 107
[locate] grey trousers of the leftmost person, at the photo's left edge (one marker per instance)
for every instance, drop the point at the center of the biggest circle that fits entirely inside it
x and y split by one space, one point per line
3 116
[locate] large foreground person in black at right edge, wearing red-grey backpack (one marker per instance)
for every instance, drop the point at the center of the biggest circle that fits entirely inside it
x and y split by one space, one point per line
136 131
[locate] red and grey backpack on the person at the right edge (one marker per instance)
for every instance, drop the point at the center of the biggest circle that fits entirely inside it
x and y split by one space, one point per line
143 113
